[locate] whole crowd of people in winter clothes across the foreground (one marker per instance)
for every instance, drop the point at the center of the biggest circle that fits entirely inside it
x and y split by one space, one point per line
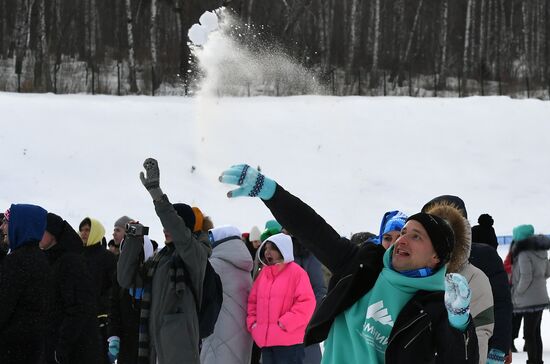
425 288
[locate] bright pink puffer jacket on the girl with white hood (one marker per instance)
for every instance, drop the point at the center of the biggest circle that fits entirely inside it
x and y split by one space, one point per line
280 305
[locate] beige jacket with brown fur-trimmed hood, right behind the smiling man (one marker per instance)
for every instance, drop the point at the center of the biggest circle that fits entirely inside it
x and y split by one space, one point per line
481 305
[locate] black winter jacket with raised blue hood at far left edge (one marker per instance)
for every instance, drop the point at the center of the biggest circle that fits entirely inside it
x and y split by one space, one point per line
25 277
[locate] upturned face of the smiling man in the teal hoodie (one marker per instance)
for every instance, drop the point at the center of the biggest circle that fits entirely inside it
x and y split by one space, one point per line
413 249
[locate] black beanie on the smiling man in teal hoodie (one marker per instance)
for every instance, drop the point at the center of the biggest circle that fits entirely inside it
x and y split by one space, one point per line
440 232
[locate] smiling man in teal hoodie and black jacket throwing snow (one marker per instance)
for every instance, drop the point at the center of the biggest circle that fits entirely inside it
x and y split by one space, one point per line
383 306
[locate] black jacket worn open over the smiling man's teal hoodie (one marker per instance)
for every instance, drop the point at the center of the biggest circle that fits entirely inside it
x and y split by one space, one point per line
422 328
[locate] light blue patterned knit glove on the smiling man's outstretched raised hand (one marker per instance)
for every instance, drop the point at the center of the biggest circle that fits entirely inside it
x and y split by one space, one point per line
252 182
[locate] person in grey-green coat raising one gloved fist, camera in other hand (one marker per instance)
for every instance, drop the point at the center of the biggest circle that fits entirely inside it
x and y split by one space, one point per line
169 327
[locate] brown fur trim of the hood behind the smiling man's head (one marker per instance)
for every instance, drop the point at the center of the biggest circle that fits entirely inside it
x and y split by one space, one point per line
463 233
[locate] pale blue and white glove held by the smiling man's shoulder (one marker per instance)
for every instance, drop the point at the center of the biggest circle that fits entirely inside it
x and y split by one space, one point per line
457 300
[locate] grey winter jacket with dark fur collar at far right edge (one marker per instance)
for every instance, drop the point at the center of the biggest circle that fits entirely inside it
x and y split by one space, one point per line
530 269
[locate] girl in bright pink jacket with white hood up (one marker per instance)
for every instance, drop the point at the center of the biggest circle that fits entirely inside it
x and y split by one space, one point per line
280 304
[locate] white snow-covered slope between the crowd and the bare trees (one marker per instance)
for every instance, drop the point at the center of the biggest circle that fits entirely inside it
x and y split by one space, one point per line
350 158
